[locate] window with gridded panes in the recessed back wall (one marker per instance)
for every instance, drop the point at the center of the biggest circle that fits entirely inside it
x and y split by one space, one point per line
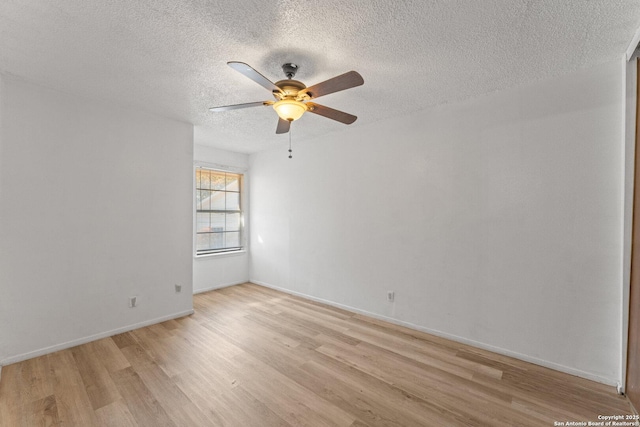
218 211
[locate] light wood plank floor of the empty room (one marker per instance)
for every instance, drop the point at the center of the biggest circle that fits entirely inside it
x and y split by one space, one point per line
251 356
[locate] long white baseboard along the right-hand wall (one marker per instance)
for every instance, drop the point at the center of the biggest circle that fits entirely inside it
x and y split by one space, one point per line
481 345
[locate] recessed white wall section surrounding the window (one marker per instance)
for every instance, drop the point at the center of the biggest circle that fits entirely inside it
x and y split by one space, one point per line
220 270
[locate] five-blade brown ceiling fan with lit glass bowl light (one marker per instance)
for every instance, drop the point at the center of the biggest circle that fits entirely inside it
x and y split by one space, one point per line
293 98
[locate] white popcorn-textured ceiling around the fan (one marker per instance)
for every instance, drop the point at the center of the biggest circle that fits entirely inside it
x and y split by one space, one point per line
169 56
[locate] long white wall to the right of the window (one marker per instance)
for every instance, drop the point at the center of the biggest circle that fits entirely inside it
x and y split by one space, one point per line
497 221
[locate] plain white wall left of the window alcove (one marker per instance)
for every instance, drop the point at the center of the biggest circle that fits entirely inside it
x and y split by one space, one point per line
95 206
